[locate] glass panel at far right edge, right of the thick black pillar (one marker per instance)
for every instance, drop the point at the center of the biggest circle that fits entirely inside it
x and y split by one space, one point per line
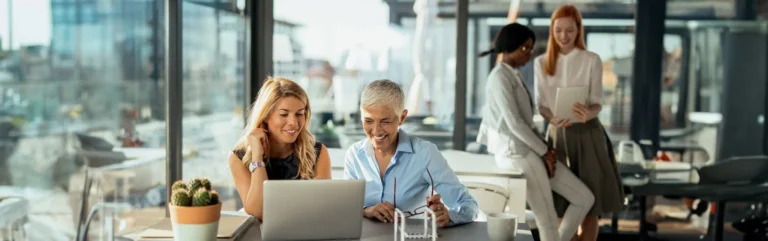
727 65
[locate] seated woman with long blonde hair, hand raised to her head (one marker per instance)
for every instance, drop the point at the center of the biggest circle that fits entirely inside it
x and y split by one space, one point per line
276 144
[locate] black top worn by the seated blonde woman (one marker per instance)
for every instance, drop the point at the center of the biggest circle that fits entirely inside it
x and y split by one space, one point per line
283 168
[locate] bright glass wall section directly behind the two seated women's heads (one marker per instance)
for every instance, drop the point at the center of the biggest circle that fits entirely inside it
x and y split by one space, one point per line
333 53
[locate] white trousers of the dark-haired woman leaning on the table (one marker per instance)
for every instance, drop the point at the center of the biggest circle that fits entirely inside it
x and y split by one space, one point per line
539 195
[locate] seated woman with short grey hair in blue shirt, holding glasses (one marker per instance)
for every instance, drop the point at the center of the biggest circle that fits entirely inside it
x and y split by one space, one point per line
402 172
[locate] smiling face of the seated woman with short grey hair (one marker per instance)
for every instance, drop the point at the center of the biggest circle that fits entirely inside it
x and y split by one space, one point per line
381 125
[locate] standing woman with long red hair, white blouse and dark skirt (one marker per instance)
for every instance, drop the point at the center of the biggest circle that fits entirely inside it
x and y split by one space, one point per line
580 142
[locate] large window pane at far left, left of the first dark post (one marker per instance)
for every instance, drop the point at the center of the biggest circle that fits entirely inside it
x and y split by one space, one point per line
77 104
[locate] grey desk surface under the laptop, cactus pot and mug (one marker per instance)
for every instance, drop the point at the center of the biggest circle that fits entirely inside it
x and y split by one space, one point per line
374 231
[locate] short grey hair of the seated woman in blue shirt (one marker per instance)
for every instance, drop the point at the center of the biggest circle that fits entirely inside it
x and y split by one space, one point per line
384 93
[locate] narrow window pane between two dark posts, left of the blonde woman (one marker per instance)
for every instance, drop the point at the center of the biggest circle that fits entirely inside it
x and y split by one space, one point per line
213 69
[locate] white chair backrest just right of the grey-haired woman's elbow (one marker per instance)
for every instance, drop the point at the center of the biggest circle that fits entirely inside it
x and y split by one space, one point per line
490 198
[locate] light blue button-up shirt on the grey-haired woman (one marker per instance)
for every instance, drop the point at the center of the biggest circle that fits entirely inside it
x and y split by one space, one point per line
409 165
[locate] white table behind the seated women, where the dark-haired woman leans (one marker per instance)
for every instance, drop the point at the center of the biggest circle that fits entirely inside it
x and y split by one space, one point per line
468 167
